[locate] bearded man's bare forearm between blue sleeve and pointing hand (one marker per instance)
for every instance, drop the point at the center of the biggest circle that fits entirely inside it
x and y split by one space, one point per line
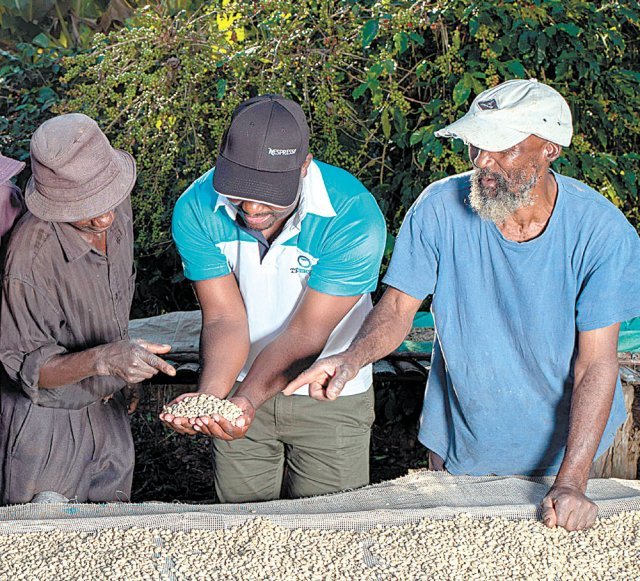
384 329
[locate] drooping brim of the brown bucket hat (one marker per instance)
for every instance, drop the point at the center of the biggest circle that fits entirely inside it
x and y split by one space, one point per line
100 202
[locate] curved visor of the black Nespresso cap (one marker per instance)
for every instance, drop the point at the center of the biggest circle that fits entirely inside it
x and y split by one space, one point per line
271 188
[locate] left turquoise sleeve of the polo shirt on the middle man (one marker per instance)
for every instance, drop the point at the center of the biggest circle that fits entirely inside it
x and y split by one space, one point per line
194 233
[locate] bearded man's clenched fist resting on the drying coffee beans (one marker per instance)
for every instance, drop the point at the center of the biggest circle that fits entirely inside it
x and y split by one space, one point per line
566 506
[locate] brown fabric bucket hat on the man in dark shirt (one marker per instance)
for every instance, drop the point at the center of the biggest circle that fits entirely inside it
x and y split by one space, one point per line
76 174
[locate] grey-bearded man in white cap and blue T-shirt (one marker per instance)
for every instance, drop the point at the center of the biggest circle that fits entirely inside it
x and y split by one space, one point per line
531 273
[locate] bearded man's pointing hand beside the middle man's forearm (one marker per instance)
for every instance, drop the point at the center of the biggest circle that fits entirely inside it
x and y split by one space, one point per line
326 377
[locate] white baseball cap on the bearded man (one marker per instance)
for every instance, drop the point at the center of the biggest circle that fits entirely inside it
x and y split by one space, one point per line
505 115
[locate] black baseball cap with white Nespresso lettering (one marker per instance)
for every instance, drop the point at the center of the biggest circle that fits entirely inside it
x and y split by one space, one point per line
262 151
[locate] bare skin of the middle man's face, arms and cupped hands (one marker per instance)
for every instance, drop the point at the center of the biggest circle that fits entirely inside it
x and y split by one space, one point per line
225 323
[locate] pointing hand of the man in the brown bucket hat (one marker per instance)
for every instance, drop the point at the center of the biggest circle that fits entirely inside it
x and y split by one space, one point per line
133 361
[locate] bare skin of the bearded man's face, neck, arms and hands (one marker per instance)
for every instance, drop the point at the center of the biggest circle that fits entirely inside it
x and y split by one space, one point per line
595 368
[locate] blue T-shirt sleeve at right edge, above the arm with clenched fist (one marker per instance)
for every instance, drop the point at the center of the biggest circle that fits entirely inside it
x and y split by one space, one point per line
610 290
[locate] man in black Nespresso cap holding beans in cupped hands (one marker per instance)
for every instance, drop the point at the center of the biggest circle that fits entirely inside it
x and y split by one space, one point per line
283 252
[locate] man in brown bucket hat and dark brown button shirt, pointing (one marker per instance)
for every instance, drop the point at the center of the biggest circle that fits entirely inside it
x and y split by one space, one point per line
64 348
